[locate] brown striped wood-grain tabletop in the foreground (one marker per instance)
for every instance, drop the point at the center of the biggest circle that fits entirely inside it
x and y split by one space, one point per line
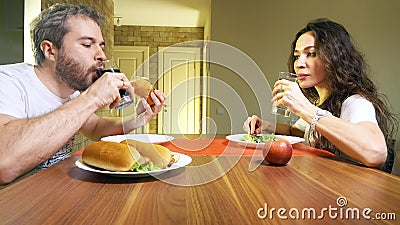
65 194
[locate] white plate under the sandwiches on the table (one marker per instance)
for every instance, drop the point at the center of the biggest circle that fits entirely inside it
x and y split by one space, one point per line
184 160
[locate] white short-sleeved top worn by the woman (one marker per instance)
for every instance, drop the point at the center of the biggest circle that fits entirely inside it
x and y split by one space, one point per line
355 109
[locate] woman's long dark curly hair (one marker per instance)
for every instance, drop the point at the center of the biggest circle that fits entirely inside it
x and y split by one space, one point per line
347 74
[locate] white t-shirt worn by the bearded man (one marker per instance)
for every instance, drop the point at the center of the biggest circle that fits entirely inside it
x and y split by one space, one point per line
23 95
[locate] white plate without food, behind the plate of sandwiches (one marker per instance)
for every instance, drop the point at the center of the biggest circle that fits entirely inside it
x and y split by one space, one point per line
148 138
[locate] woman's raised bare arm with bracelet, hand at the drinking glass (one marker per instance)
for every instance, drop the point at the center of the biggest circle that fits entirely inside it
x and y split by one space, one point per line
363 140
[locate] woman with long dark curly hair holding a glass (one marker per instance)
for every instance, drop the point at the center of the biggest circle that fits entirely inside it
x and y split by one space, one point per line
339 107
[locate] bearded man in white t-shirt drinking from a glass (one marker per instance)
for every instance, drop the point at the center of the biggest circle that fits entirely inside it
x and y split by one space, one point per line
43 106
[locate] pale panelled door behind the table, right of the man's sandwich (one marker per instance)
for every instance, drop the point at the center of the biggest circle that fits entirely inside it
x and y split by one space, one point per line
179 78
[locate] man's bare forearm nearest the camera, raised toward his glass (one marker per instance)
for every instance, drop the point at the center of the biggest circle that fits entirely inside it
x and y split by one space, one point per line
25 143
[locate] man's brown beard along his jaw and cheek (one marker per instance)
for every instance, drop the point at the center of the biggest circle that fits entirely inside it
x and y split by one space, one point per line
73 73
